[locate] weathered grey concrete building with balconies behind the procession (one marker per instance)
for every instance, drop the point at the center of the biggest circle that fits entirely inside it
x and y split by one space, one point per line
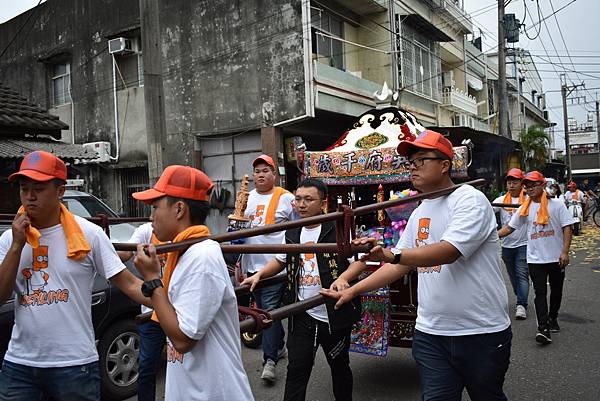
233 79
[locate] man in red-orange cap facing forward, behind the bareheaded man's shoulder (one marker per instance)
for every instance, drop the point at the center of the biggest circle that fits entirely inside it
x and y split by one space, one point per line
267 204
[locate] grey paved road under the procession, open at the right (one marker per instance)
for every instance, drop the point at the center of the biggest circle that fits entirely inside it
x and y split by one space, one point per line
567 370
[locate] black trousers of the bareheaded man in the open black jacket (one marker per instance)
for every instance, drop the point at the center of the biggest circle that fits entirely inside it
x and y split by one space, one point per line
305 334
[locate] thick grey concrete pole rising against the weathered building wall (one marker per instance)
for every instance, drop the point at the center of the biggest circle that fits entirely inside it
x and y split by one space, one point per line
156 135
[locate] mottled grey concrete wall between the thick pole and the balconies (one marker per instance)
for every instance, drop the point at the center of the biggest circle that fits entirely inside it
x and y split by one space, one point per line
229 66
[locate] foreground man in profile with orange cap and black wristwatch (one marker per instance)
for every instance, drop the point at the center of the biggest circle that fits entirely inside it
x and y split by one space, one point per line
194 302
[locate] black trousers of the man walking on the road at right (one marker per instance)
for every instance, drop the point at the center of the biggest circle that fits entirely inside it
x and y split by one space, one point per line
540 275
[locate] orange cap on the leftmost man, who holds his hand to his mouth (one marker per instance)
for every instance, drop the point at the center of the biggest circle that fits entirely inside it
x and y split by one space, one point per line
41 166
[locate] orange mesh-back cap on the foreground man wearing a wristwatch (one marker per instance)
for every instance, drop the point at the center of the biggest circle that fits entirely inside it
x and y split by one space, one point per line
180 182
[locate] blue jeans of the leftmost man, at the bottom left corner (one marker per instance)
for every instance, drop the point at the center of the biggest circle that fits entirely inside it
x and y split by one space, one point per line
72 383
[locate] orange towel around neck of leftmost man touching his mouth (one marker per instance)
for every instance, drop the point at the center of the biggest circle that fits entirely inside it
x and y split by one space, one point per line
77 245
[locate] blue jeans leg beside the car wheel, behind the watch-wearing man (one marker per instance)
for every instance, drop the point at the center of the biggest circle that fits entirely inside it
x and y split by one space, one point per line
152 341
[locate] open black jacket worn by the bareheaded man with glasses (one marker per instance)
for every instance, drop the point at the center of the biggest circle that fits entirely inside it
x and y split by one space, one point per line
330 267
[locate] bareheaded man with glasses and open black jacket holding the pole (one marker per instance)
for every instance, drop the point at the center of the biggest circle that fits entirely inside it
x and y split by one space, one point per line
307 273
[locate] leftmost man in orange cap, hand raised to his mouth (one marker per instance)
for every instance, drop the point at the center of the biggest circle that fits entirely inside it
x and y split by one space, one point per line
50 259
